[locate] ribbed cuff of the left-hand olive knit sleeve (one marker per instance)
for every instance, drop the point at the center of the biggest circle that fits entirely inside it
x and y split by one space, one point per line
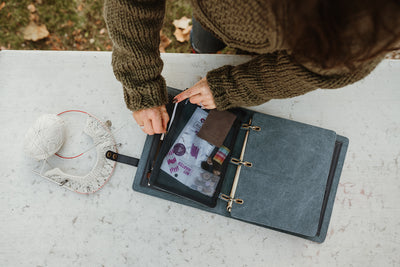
147 95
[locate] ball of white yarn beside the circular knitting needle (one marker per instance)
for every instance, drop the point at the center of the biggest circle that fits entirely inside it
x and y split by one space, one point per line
45 137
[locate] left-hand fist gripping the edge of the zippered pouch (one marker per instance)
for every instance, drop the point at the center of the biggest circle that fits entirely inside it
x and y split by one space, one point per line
152 120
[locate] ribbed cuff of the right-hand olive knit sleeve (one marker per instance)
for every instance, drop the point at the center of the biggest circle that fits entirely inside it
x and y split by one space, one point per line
222 84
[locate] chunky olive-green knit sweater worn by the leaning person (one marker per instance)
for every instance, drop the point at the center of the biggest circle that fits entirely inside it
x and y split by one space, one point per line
134 27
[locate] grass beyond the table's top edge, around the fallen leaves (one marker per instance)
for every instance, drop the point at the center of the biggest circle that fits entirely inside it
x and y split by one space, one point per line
74 25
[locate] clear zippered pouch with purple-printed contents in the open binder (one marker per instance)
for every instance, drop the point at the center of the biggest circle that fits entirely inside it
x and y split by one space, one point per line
181 166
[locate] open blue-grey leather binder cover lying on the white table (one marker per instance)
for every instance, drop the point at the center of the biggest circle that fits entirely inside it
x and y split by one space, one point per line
290 185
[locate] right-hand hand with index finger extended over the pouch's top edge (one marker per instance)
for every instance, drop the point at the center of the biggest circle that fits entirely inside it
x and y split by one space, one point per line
199 94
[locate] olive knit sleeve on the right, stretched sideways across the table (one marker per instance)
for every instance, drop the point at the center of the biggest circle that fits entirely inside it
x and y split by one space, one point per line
273 76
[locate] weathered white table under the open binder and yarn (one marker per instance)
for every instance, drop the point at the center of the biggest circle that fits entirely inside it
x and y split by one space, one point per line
44 225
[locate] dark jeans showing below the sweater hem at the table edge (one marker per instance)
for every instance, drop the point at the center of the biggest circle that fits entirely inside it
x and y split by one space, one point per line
203 41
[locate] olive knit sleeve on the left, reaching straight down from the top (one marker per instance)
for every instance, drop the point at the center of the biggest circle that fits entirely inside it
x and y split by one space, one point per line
134 27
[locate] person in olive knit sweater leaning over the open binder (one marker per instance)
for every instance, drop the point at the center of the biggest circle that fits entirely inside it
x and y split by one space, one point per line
299 45
